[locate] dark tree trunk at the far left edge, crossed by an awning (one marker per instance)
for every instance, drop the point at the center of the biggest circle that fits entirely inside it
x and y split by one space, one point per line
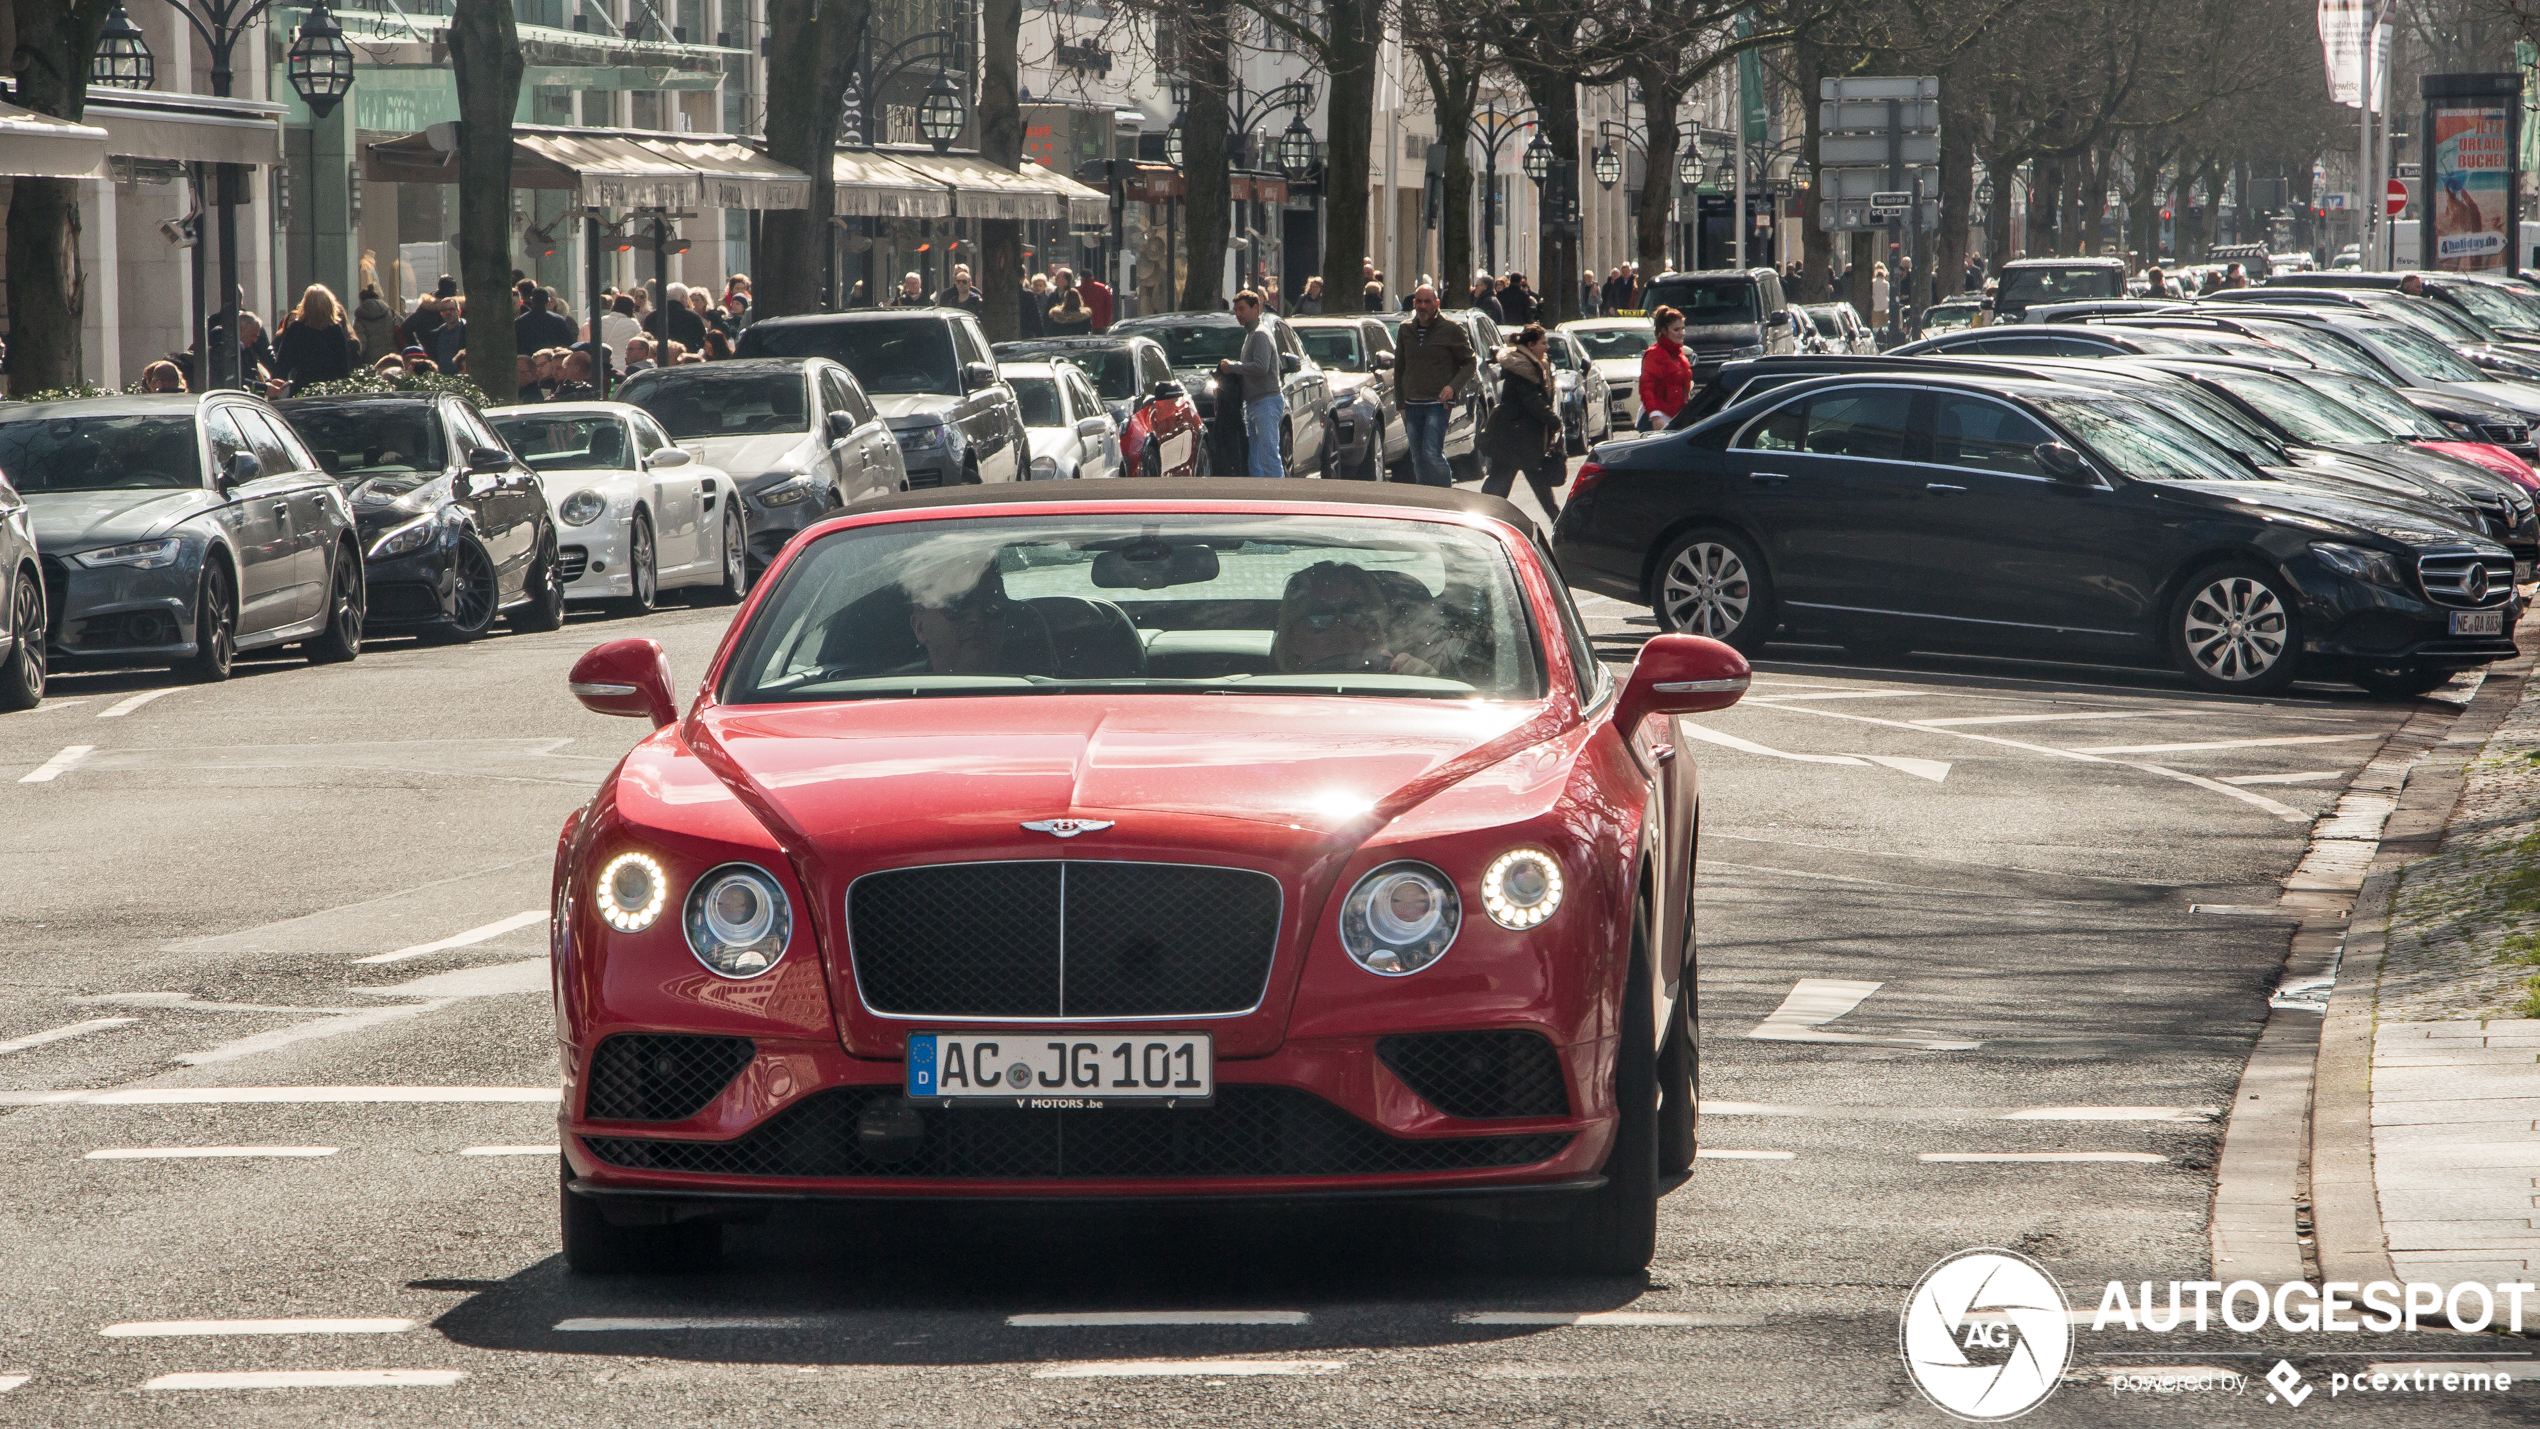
47 293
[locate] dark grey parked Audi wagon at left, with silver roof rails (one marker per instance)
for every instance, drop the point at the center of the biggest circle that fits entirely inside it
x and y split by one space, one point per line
177 532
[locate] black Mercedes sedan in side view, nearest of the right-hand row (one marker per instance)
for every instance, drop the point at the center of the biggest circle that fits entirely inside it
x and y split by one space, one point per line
1970 514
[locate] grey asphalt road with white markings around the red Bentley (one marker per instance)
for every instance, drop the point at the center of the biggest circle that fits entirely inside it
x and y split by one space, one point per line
301 915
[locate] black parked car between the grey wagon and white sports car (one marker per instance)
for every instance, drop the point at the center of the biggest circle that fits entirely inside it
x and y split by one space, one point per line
456 529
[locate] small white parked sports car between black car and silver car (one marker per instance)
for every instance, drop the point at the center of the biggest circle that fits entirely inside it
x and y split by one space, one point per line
636 511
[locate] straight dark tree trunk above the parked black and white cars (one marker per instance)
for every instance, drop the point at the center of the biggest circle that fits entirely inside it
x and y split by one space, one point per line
486 67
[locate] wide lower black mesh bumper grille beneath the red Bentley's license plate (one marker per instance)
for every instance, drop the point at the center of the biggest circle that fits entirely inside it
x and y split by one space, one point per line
1251 1131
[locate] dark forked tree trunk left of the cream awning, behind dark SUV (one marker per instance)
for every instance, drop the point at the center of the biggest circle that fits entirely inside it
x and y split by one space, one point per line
812 49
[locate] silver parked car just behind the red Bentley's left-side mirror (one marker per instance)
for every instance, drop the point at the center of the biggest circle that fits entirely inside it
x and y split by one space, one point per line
796 433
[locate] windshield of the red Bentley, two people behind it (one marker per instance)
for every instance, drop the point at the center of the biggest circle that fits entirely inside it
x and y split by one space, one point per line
1144 603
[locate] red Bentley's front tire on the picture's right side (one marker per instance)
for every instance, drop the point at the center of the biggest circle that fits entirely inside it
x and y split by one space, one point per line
1617 1227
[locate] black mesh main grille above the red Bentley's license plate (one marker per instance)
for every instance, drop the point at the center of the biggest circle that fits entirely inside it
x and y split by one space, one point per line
1063 940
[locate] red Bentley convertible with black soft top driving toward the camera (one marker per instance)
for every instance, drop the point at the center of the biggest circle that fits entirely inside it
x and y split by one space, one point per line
1228 839
